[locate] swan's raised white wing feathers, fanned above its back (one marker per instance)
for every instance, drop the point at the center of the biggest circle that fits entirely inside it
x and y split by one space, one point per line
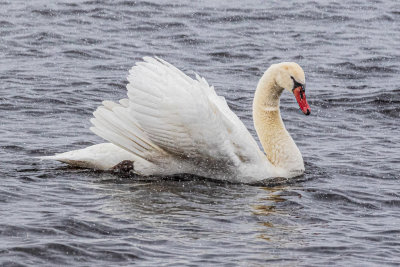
169 112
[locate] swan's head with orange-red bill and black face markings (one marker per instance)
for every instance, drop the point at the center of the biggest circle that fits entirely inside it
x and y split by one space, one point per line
290 76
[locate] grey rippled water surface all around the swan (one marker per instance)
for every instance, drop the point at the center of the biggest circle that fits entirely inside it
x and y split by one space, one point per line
60 59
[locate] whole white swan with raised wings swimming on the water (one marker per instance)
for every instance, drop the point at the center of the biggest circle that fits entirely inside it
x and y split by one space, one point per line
173 124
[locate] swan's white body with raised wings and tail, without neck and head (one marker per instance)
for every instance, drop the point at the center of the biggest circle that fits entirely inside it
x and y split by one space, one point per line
173 124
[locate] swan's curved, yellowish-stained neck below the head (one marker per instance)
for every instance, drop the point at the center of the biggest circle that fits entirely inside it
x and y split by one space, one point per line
278 145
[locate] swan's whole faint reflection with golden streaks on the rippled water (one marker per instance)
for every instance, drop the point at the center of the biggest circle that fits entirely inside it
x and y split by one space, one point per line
193 209
